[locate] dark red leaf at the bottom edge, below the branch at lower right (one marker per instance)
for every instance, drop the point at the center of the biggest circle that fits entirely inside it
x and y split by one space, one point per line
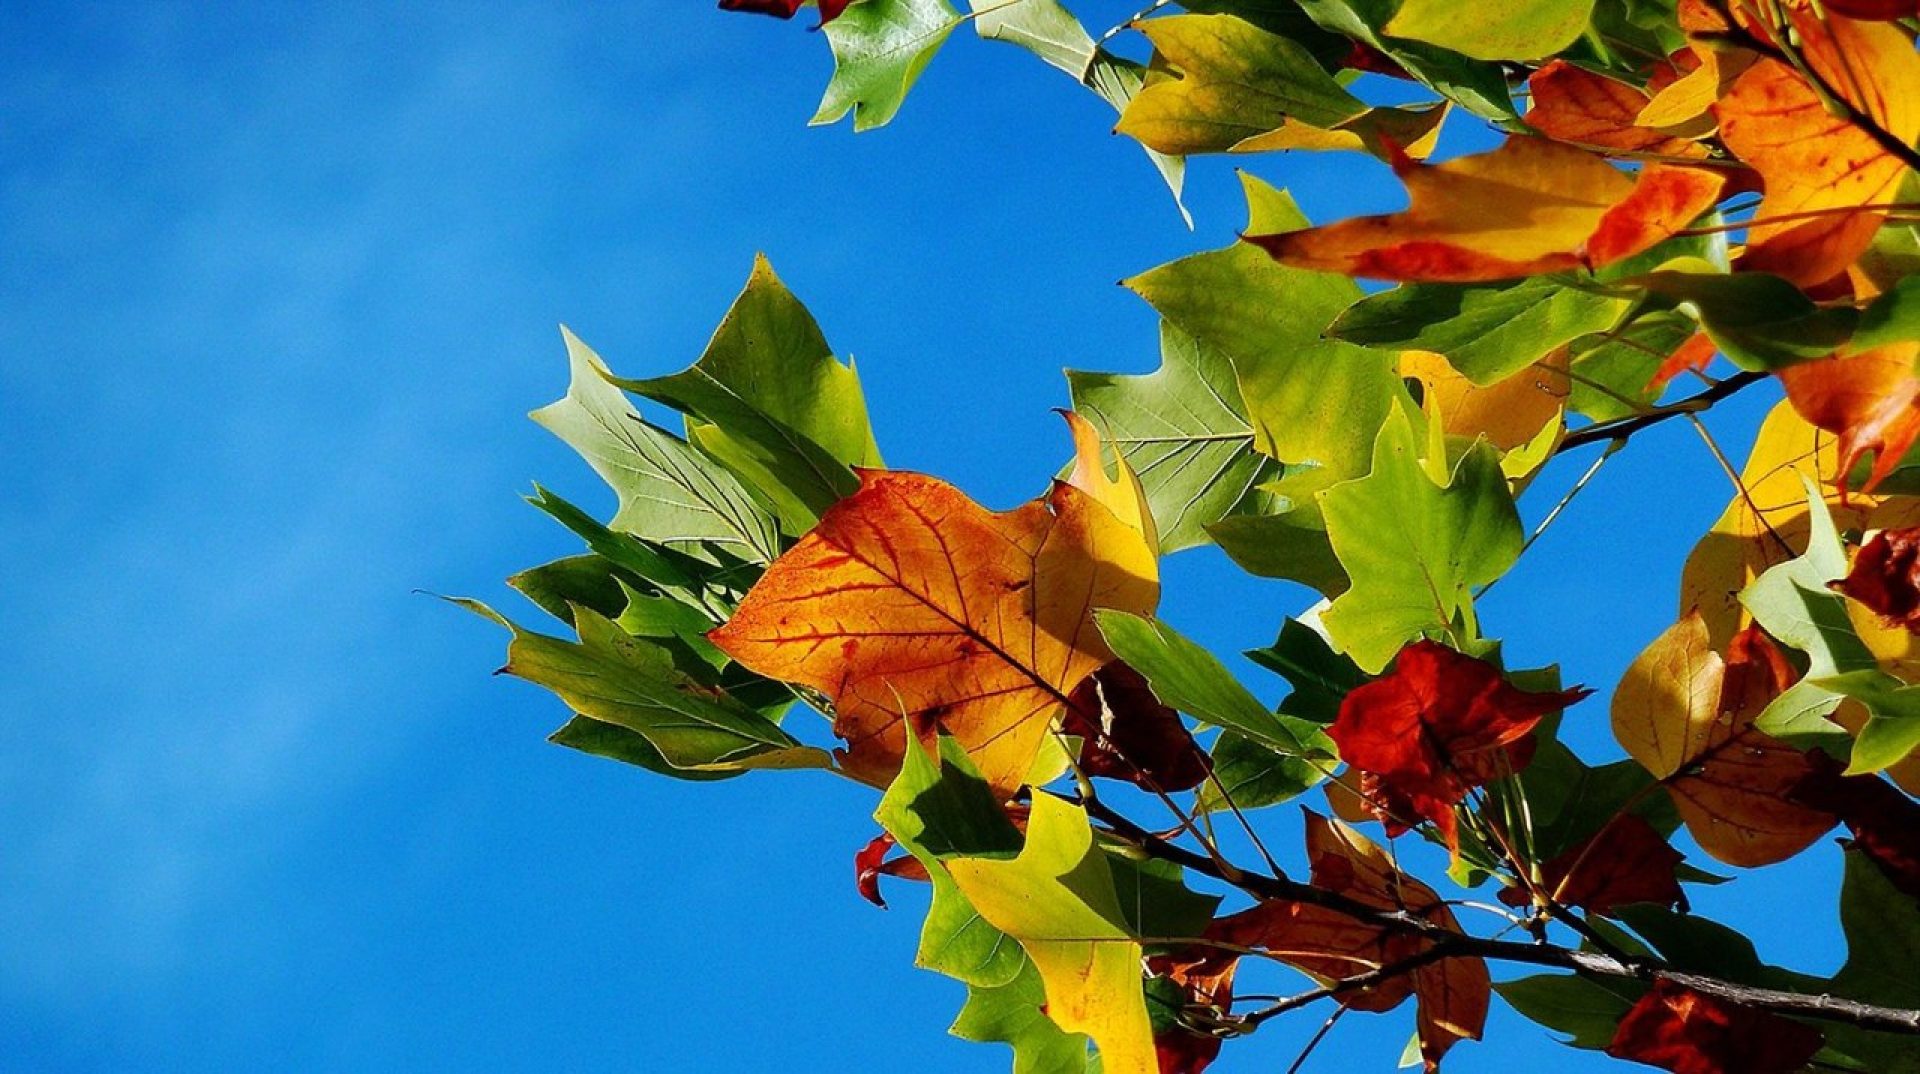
1691 1033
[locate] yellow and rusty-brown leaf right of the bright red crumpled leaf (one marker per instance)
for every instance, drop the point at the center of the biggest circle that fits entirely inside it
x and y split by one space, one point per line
1687 716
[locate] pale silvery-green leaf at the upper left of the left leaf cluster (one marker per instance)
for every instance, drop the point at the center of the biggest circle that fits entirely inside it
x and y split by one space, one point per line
669 493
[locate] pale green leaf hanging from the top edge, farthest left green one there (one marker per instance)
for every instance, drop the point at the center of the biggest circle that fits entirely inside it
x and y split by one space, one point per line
880 47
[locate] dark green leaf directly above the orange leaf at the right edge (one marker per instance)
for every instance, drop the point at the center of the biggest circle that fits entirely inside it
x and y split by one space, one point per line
1758 320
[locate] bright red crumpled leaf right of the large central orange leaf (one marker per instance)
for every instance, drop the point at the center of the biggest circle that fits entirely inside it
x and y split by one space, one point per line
1435 727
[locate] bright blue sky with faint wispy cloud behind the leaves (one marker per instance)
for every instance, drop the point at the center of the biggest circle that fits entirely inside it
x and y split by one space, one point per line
277 287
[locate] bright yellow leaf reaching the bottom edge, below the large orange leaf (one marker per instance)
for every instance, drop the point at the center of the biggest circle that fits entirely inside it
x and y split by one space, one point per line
1059 902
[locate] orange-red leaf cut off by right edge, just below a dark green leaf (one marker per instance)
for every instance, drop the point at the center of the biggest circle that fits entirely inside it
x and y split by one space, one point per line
1871 401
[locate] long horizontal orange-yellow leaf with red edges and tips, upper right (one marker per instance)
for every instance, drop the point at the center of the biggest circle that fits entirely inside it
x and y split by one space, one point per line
1527 208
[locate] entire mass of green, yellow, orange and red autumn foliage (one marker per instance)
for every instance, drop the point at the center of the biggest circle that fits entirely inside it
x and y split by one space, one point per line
1696 197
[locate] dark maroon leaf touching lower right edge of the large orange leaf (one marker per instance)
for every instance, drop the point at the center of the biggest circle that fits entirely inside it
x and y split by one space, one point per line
1130 735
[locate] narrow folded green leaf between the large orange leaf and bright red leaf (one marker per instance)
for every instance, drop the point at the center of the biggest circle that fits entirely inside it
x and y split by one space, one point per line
1193 681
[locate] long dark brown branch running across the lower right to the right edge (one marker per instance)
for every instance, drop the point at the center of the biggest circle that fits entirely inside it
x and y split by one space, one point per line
1449 944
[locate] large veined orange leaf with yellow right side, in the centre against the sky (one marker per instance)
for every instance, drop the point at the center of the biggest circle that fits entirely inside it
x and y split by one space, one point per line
913 608
